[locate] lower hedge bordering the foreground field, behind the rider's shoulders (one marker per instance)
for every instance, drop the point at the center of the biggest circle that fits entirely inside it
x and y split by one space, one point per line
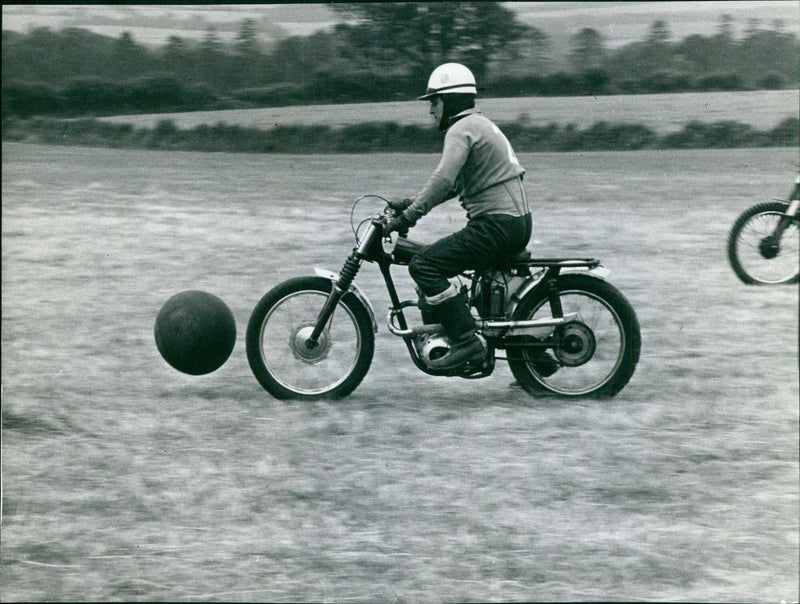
389 137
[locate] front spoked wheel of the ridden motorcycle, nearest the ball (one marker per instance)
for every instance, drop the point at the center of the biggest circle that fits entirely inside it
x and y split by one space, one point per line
277 342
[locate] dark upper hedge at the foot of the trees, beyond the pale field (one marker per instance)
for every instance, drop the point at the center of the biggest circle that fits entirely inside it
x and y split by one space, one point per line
93 96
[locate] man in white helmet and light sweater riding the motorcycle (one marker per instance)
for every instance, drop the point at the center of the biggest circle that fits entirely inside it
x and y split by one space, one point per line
479 165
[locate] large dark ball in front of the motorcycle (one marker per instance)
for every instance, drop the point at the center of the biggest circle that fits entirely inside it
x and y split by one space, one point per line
195 332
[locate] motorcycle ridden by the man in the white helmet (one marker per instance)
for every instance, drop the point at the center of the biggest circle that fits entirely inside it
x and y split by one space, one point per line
563 329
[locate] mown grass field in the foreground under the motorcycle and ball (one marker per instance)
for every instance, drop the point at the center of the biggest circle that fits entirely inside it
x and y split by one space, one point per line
125 480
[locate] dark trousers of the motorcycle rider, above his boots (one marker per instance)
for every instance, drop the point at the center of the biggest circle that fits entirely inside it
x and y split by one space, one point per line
486 241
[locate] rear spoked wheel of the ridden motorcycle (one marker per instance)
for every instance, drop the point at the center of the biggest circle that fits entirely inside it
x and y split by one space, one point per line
593 355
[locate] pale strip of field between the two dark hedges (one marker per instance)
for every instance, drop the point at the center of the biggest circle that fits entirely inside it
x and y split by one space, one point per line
663 113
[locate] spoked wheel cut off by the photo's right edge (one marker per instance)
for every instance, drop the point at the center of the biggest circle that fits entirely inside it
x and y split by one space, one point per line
756 256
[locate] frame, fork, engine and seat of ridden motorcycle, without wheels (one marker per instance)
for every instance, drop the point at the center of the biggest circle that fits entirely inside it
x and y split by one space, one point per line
498 333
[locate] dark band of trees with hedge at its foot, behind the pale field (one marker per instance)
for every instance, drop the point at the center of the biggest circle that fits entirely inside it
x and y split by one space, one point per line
382 51
